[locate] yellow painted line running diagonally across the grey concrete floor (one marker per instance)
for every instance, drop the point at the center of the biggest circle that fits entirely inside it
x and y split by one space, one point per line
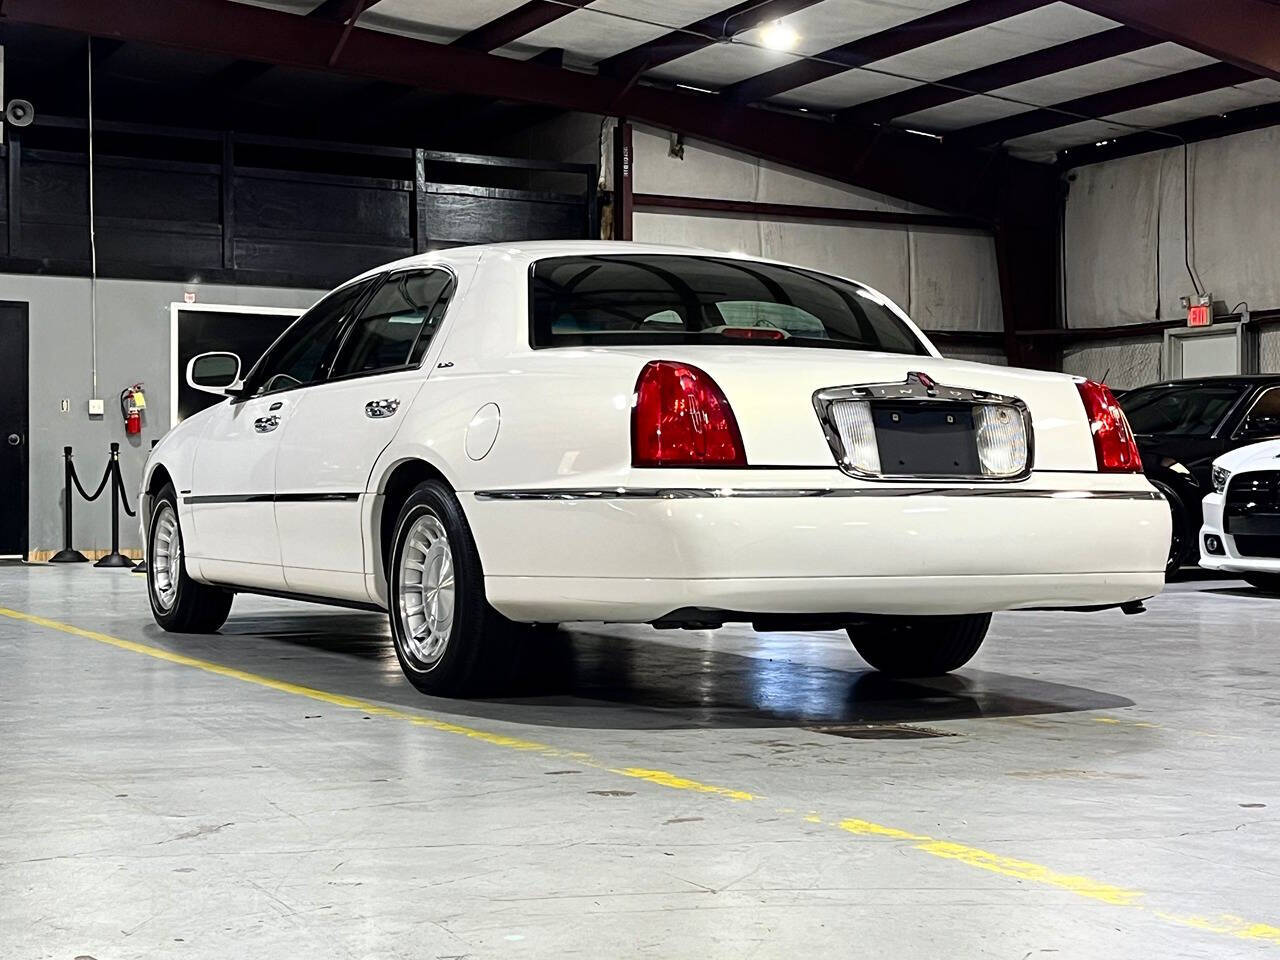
1022 871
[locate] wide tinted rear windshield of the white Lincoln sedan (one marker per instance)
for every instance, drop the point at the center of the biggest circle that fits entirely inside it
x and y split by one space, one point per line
669 299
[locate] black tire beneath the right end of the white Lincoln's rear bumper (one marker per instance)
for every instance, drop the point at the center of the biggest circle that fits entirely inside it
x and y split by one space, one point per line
920 647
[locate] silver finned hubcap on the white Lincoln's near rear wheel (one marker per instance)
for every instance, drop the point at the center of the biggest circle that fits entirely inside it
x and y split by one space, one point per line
427 591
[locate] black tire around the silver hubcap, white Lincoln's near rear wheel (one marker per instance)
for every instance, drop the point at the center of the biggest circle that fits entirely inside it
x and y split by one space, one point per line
478 653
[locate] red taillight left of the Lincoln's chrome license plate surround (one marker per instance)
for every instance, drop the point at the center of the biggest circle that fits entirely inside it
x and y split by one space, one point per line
682 419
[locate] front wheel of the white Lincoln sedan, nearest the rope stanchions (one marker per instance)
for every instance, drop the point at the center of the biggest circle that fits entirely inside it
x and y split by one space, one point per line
179 604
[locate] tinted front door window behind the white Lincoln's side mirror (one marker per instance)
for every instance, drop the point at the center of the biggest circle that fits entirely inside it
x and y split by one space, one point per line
305 353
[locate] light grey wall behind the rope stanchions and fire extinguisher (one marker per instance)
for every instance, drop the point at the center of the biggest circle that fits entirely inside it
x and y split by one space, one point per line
134 345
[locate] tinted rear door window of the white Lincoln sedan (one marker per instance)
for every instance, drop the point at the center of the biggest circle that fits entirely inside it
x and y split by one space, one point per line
397 326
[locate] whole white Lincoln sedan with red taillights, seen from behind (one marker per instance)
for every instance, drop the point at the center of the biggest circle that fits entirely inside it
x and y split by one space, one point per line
490 438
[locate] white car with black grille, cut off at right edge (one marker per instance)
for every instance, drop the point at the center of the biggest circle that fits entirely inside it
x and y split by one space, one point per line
1242 516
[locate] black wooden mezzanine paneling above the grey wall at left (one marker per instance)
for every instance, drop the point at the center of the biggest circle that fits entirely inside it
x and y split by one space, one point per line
313 225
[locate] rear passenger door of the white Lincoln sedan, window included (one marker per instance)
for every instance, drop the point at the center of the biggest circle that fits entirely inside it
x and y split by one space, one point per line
340 429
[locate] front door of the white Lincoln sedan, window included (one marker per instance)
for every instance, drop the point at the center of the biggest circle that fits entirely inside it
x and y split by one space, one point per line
234 478
